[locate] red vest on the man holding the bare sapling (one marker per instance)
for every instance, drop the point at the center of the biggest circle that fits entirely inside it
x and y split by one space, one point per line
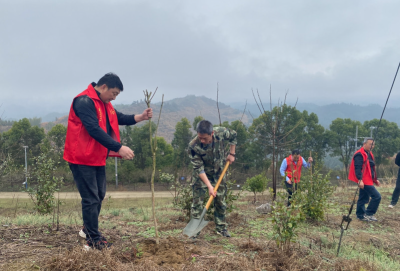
80 147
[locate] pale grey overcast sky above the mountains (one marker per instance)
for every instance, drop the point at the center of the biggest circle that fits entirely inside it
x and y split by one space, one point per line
321 51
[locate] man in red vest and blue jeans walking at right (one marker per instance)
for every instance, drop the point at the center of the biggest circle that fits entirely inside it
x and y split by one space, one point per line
362 171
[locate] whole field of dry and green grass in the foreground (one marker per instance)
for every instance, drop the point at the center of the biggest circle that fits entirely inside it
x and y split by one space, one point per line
29 241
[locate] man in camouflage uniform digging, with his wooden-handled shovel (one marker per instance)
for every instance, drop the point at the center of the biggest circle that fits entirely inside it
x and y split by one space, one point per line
207 154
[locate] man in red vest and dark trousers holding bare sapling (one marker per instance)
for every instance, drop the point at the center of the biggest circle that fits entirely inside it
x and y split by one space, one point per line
92 136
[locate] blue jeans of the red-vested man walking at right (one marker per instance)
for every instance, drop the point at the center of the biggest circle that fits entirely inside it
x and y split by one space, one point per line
368 192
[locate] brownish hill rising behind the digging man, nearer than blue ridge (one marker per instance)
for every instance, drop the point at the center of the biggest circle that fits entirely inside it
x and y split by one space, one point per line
174 110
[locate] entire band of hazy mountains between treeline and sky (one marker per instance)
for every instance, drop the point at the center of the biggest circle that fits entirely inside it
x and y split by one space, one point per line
191 106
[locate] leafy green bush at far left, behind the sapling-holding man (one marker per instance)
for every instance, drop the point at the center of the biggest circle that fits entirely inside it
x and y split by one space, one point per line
44 184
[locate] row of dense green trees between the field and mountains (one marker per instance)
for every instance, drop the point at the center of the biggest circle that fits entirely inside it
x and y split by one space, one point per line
261 146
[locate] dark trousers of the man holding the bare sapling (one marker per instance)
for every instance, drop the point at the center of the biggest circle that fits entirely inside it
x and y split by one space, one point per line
91 183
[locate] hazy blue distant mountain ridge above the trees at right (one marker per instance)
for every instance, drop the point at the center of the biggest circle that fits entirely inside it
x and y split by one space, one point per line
327 113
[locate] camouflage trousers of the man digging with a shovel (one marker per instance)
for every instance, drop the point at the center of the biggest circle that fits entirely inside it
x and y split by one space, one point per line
199 192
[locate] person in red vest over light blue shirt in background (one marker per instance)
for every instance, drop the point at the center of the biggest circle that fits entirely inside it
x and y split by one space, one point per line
291 168
